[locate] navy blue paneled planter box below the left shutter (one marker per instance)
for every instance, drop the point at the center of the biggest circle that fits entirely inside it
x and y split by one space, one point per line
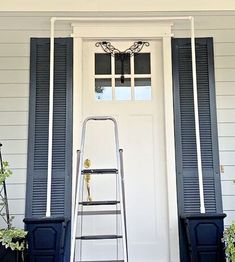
46 239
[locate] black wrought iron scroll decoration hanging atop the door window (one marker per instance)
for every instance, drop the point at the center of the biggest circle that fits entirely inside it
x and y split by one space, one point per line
122 55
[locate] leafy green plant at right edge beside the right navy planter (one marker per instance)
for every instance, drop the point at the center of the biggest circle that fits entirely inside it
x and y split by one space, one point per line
229 241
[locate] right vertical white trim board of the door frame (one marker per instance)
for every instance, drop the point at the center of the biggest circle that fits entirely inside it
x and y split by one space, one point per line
170 152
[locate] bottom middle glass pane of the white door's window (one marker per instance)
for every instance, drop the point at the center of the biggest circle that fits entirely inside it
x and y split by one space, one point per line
123 90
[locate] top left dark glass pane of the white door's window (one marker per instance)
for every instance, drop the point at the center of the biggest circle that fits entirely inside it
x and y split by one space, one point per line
102 64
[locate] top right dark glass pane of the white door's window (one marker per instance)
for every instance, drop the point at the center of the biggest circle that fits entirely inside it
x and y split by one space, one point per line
142 63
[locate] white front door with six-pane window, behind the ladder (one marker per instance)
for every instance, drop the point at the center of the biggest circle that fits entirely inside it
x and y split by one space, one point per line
138 106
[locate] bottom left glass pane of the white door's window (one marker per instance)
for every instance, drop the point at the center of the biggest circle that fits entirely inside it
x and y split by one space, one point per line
103 89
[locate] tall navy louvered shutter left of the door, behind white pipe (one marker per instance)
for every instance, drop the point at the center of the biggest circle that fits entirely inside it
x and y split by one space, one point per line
38 128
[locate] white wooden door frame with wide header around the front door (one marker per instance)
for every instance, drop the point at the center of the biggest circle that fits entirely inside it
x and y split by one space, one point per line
139 30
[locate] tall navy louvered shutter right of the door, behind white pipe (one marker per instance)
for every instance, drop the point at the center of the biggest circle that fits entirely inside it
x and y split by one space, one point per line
186 156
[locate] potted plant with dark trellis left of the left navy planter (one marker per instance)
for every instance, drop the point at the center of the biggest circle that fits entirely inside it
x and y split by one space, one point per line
12 240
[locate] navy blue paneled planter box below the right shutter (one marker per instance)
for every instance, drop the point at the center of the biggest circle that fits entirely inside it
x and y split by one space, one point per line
204 233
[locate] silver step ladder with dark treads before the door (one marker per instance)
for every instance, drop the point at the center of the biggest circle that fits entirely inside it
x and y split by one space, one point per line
80 203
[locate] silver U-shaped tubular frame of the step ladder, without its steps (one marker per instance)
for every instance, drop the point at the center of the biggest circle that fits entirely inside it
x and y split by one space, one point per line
79 181
